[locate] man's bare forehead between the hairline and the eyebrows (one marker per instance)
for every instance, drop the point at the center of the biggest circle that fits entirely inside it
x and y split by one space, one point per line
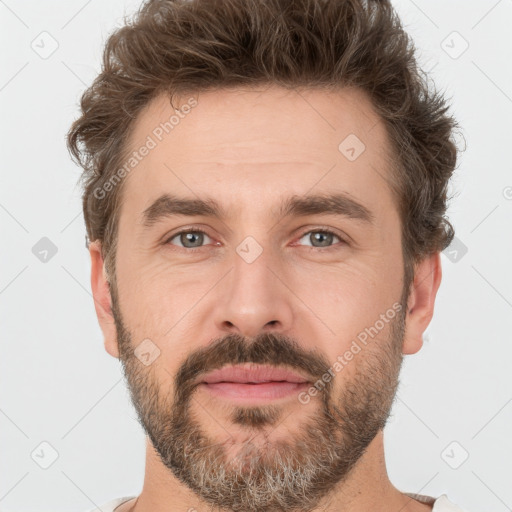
249 147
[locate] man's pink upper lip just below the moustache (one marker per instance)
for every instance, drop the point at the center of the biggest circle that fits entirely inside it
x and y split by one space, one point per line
252 374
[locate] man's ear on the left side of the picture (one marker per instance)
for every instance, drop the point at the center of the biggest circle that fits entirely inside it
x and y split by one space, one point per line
102 299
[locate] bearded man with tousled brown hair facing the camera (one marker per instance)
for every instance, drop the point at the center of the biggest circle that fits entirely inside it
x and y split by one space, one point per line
264 192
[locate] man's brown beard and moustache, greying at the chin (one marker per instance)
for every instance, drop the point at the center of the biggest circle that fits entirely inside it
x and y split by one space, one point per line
294 472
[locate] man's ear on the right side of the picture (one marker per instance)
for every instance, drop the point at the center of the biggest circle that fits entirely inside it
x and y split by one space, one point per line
420 305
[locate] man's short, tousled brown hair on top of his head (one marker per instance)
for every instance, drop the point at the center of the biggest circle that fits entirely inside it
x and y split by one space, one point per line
178 46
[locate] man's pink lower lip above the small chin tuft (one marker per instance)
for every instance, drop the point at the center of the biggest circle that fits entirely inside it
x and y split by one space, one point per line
251 392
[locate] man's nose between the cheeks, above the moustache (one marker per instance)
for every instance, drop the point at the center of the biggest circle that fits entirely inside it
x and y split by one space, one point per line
254 297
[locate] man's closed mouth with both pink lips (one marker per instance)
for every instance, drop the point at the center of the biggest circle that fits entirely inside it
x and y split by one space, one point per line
250 383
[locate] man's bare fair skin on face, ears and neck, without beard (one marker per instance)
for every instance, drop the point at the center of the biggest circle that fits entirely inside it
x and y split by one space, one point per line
248 149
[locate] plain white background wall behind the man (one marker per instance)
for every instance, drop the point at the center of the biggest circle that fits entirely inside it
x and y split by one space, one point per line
59 385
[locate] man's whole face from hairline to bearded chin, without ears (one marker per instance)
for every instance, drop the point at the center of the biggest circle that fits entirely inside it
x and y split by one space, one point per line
299 292
